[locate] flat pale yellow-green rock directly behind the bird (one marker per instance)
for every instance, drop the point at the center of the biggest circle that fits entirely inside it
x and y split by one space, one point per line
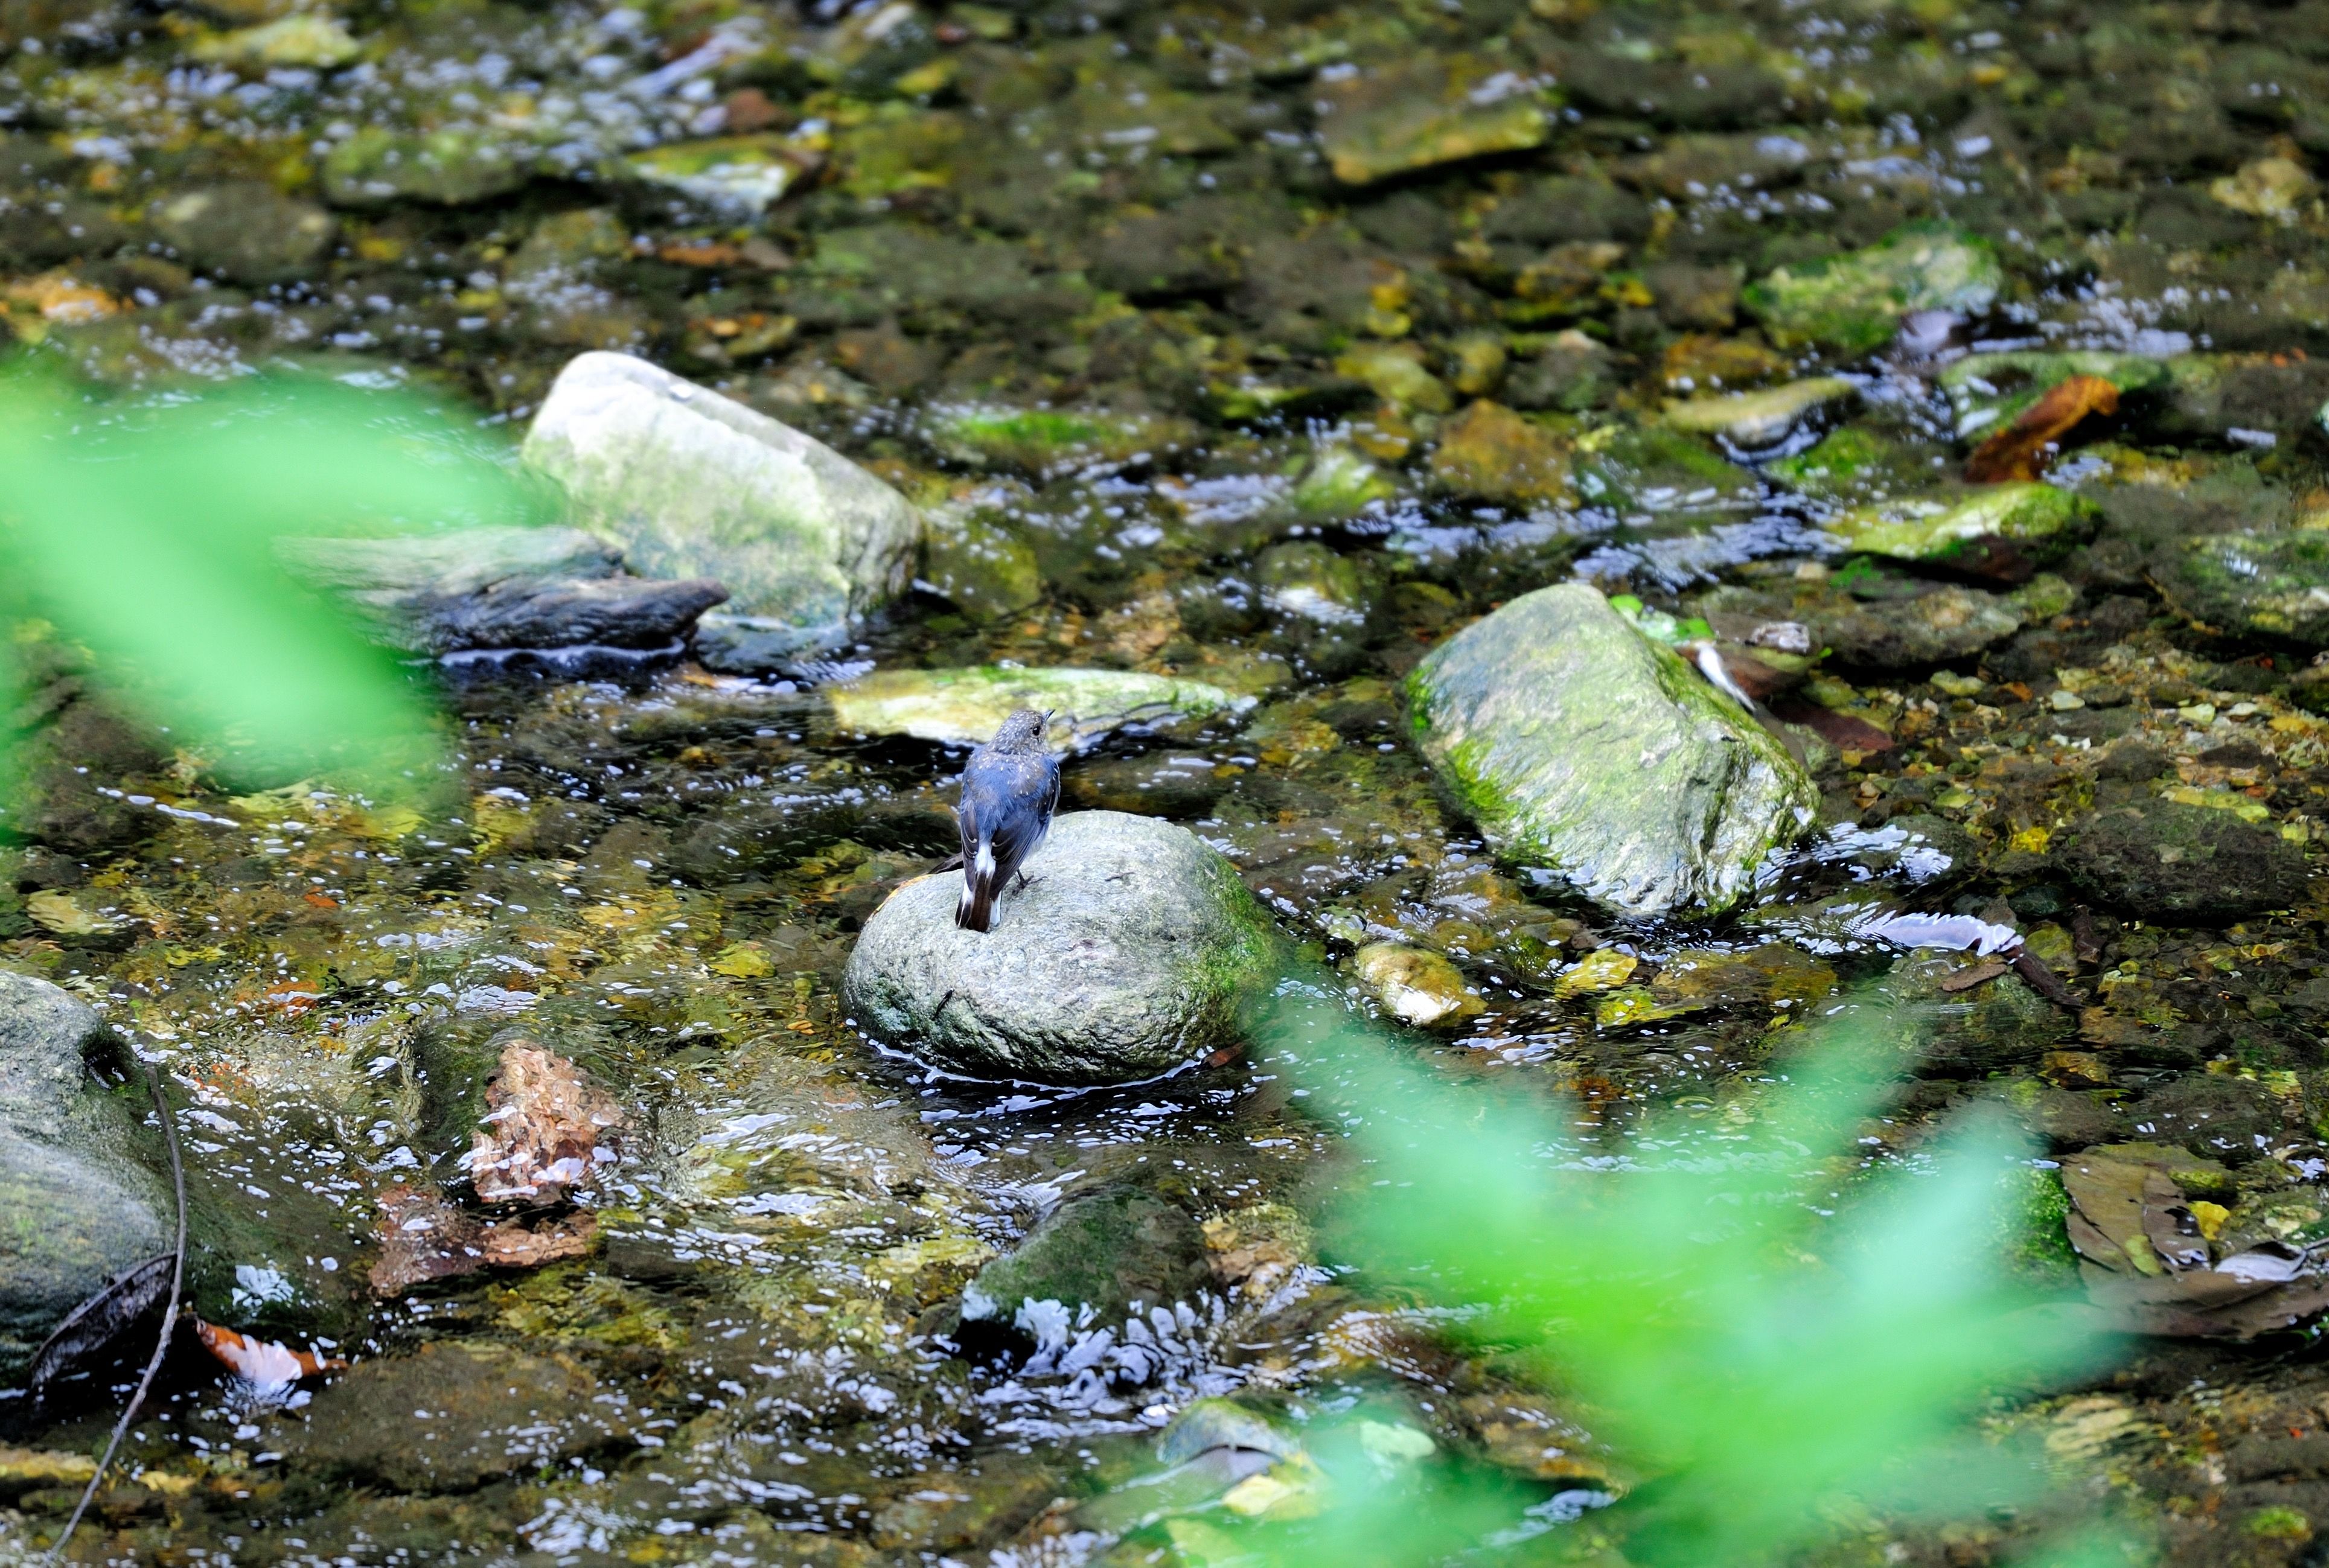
963 707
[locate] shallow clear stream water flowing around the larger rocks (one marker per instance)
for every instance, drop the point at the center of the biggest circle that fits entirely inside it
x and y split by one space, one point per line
1229 253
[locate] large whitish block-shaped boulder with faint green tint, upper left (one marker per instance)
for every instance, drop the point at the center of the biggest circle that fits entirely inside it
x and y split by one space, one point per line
698 486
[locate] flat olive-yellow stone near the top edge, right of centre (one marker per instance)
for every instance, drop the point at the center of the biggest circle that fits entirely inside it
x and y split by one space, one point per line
1424 113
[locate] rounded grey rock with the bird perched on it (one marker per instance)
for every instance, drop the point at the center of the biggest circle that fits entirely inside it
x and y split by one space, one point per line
1126 954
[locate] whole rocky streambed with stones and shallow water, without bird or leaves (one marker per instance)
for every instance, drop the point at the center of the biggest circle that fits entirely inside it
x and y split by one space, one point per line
1611 528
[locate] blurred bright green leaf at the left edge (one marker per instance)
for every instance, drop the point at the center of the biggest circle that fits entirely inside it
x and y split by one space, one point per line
148 532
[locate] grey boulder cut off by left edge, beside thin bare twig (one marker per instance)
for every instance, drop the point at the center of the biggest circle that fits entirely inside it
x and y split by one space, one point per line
76 1206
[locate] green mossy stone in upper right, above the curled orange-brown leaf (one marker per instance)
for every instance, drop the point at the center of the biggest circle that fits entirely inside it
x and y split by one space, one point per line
1853 304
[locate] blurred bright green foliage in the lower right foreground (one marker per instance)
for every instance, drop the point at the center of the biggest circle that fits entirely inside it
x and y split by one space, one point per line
1769 1327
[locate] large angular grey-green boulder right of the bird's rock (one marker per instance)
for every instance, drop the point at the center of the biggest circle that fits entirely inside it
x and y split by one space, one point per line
1585 749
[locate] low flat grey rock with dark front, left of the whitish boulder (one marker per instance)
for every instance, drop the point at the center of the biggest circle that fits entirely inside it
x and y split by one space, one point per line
502 588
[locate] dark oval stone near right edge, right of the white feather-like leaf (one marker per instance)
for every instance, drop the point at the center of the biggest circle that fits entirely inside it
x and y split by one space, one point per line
2183 866
